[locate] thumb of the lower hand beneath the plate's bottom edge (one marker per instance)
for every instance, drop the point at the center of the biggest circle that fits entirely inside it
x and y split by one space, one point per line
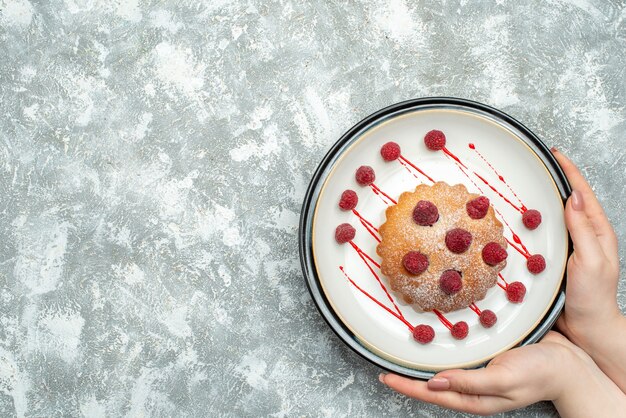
490 380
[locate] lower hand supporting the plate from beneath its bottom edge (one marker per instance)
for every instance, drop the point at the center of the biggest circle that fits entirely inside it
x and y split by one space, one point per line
553 369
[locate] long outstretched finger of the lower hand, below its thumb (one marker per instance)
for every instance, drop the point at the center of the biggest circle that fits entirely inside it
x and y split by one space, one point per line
449 399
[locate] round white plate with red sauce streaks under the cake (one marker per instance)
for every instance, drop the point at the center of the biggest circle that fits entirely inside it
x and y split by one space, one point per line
509 152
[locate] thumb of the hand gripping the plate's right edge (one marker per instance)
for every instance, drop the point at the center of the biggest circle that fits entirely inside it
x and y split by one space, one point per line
581 230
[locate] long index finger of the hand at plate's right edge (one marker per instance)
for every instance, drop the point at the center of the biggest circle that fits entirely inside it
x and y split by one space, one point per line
600 222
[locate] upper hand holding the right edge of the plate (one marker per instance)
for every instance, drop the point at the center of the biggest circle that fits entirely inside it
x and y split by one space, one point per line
591 312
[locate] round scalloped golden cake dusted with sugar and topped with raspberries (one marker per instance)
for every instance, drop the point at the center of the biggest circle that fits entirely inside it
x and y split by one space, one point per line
442 247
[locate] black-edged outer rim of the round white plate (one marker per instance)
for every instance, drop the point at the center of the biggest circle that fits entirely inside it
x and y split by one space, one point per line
319 177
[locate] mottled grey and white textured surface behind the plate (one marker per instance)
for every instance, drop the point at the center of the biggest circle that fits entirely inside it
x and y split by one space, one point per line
154 156
